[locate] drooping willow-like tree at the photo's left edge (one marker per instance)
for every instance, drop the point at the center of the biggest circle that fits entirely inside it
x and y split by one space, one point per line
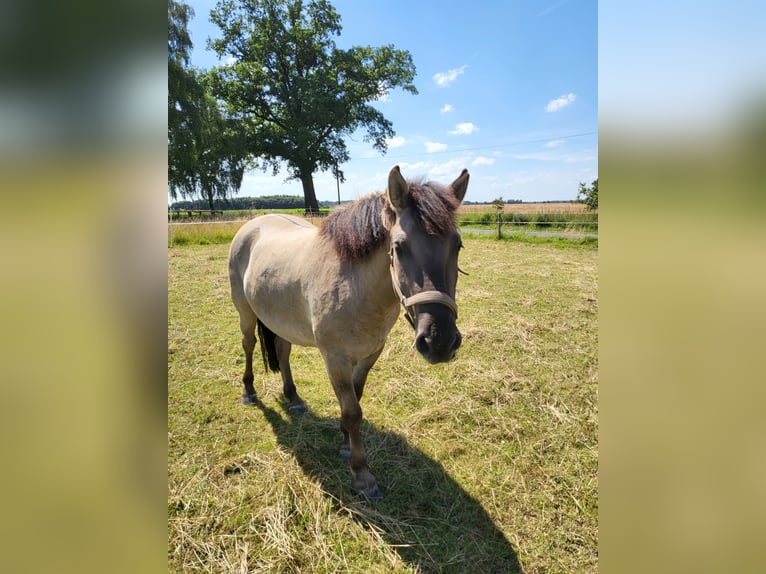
206 151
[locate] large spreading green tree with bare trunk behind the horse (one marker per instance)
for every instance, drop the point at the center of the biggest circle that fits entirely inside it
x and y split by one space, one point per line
296 94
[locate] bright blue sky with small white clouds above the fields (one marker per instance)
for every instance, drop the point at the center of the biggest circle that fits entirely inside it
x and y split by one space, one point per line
508 90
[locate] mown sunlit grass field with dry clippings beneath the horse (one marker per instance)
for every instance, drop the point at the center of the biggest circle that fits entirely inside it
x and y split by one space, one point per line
488 463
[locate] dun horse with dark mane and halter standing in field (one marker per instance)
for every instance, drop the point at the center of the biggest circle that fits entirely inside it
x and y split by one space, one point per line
339 287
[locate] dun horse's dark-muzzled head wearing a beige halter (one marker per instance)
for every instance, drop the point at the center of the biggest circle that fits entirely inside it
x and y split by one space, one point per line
424 250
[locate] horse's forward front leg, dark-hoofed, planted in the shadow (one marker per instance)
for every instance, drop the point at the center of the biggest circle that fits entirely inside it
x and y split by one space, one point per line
340 372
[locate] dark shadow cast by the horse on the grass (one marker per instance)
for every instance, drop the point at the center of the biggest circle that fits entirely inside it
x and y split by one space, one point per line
426 516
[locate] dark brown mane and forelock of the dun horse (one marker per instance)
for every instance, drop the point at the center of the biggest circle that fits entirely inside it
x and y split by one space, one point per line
361 227
